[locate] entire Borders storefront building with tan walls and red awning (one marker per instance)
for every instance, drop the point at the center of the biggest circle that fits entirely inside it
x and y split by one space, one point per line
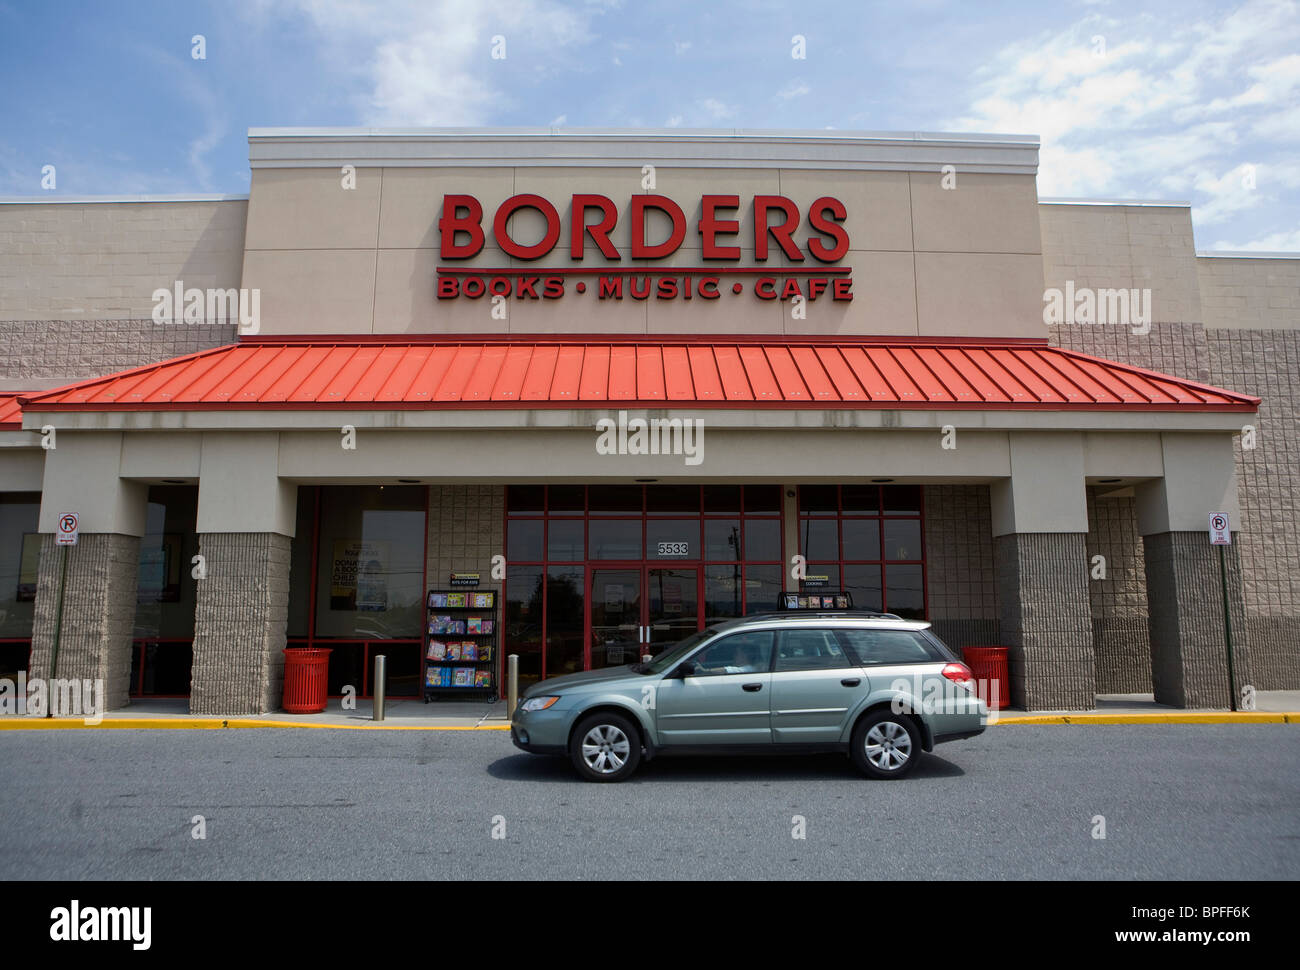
639 383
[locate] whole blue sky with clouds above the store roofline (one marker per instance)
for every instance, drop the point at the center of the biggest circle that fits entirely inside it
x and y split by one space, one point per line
1150 101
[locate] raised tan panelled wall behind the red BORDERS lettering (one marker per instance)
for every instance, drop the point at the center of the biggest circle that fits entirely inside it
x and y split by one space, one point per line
926 261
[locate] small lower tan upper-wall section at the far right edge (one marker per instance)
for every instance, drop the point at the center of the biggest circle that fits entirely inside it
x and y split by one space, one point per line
1250 295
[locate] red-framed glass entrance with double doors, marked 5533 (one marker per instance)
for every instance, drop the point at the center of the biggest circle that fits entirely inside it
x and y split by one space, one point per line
619 562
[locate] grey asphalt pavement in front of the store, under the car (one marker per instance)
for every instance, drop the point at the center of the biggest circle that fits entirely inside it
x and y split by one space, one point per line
1177 802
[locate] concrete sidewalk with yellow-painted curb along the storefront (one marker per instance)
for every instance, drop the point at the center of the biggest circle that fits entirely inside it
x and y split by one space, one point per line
413 714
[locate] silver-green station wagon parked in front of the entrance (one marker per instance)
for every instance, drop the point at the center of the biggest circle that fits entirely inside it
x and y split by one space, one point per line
873 686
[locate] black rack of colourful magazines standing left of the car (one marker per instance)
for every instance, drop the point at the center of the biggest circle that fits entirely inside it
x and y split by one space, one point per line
461 644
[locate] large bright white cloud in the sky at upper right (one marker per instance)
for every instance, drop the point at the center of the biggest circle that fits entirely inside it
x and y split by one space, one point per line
1165 110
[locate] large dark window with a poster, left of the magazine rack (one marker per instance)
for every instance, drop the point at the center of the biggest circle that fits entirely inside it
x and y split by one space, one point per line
371 562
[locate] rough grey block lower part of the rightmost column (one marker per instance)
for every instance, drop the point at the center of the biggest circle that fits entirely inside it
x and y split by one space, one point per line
1188 636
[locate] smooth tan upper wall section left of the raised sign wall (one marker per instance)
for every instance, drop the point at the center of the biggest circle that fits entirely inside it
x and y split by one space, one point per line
105 261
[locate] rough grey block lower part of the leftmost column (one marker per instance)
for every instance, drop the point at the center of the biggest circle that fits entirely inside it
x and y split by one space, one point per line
99 612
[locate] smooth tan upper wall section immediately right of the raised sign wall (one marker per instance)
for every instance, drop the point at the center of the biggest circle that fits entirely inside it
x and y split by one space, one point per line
1117 246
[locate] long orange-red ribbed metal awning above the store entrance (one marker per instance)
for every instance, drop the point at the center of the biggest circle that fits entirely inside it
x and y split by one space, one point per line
603 371
